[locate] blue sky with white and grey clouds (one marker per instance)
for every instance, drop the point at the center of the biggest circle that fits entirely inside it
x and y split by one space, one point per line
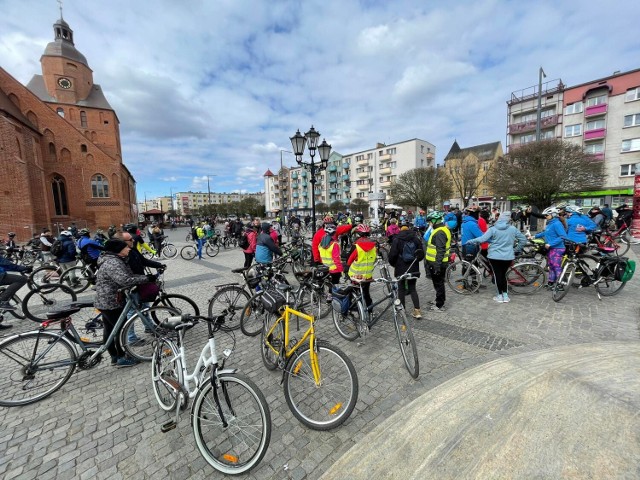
217 87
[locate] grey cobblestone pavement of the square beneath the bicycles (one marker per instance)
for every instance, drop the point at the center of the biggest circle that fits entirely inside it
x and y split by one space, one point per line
105 423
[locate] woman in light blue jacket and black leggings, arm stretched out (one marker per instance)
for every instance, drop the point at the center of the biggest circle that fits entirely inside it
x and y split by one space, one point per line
501 237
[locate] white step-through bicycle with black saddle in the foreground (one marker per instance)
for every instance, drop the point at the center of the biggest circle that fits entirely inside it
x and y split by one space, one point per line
230 416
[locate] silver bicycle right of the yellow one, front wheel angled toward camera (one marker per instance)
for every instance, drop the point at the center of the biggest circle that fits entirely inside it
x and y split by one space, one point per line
354 319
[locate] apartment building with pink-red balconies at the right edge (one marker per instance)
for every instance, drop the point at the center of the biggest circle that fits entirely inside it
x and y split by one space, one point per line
602 116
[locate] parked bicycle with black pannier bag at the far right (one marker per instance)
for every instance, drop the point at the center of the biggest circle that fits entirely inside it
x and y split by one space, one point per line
599 272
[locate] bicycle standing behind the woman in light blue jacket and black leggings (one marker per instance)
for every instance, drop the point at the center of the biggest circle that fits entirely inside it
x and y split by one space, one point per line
466 277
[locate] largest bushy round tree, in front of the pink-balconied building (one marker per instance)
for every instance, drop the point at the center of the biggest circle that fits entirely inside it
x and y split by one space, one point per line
540 172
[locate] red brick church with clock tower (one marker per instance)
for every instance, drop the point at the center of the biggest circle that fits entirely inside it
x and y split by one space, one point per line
60 153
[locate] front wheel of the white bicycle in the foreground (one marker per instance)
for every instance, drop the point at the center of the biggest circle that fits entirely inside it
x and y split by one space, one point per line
241 444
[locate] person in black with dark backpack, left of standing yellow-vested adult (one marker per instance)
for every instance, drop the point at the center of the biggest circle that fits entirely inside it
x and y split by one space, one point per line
404 257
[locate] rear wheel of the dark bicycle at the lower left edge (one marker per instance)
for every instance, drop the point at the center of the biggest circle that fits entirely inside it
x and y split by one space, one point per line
33 365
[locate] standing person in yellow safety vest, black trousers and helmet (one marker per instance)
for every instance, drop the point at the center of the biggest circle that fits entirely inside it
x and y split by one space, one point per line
437 257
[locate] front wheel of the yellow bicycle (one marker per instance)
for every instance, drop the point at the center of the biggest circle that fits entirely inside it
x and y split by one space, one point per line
325 405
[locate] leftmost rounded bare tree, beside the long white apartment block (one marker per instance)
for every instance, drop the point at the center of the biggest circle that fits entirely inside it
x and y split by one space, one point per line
425 187
